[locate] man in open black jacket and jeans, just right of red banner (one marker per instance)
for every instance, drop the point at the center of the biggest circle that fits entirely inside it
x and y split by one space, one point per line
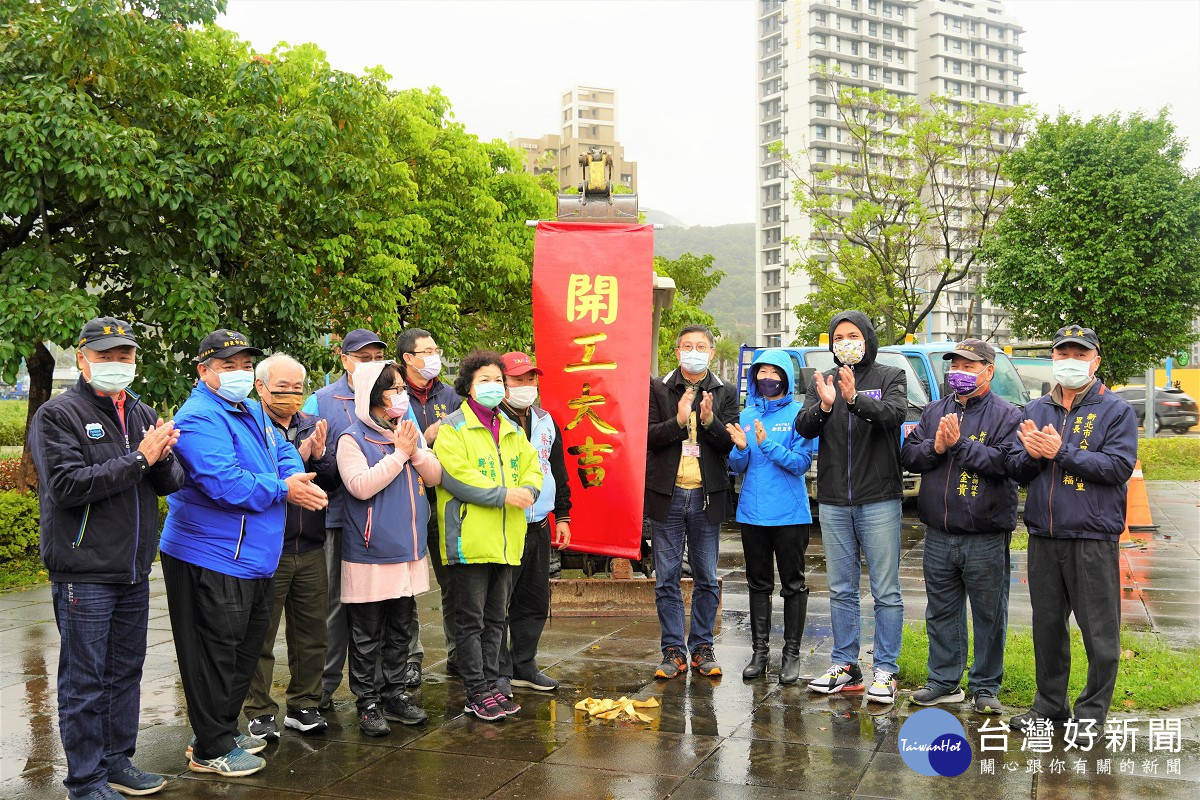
687 497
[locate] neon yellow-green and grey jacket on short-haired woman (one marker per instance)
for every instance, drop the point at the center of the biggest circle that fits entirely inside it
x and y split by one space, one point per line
475 524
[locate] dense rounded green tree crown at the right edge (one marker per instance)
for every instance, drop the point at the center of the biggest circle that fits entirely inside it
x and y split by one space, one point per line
1103 231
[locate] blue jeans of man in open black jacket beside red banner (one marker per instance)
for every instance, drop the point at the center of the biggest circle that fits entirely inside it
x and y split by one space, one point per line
688 521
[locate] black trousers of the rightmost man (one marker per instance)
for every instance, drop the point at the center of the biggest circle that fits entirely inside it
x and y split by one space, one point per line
1081 576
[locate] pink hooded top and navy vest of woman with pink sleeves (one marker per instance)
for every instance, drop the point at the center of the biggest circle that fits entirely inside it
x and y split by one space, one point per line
391 526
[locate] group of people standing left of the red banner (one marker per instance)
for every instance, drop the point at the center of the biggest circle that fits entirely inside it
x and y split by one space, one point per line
328 512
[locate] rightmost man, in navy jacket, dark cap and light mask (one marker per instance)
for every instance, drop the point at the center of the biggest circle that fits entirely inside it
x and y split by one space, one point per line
1079 448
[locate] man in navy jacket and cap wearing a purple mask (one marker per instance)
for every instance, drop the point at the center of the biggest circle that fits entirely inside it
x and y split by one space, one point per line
969 506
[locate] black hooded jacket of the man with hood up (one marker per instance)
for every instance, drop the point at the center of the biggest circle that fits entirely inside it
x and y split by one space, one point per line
859 456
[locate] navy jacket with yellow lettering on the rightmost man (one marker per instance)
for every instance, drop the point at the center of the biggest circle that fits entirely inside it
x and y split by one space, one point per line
1081 494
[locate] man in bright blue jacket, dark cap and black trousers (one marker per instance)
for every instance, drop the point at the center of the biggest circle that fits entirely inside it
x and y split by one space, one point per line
221 546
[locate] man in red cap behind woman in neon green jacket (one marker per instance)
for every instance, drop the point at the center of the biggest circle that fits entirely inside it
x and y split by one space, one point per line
530 605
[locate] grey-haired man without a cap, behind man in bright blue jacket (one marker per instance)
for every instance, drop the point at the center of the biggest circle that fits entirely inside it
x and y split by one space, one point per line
302 580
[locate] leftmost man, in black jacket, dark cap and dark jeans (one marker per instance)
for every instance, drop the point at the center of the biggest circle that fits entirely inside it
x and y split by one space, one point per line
103 460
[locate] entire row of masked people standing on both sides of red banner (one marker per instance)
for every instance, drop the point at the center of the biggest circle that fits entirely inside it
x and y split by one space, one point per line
332 510
